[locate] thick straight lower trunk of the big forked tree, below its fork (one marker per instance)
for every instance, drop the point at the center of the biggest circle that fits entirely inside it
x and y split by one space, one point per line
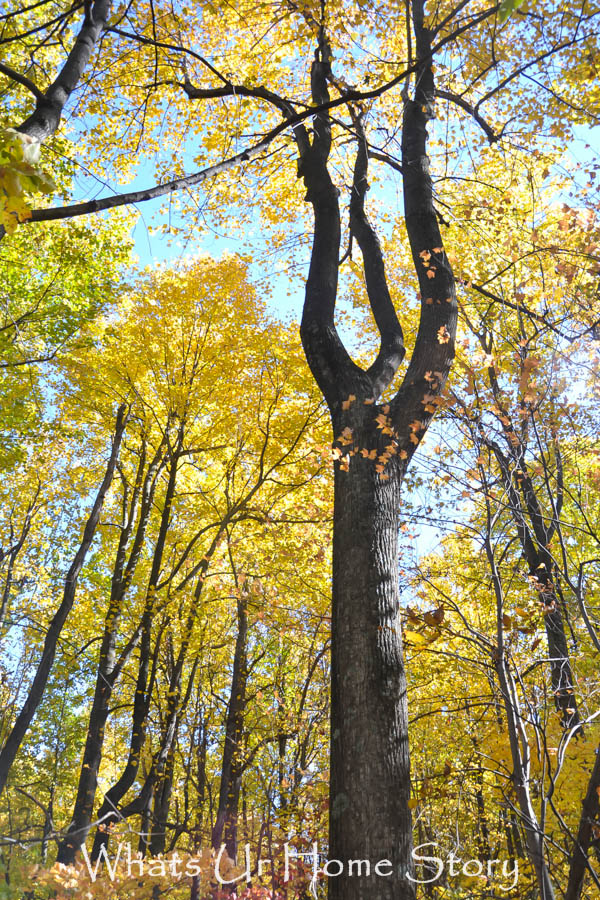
370 768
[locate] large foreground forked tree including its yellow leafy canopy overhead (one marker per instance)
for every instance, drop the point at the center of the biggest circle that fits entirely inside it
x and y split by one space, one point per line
373 442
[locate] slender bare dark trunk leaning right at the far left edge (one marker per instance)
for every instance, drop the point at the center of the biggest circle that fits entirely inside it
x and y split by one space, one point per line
38 686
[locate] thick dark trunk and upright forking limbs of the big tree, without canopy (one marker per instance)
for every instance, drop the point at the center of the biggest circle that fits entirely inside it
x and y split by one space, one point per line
373 442
